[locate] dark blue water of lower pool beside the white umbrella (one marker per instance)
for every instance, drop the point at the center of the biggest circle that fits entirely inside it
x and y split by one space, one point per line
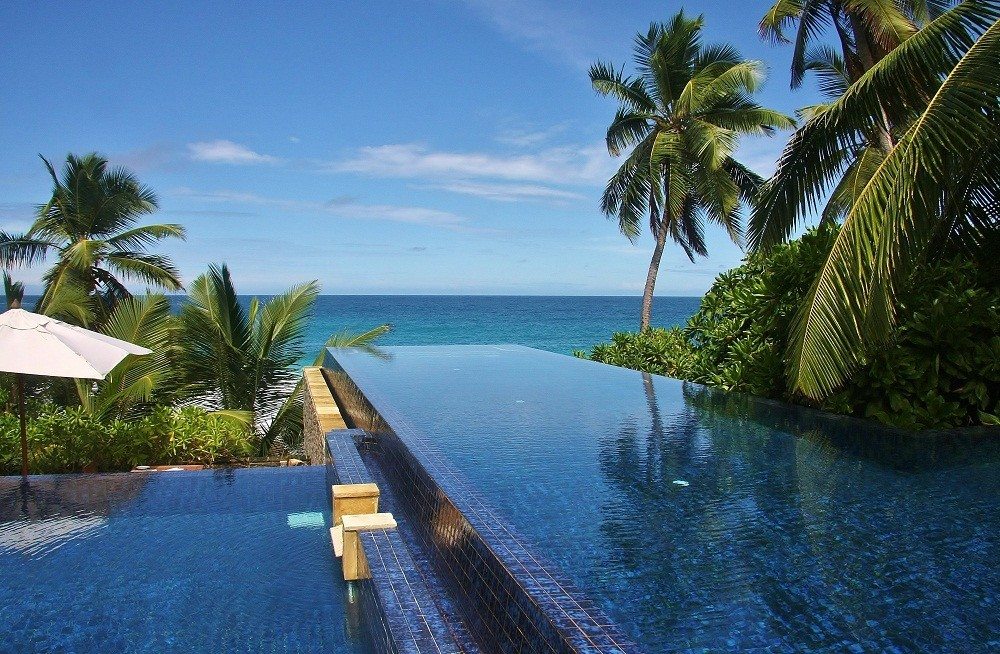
212 561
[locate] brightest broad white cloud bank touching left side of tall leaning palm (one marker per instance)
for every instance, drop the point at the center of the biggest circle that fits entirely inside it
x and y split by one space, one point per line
581 165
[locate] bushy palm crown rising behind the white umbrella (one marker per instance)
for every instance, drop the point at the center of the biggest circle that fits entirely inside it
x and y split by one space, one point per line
90 224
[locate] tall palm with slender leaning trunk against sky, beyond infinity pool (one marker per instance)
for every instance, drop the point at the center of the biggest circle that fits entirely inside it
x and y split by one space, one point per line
681 116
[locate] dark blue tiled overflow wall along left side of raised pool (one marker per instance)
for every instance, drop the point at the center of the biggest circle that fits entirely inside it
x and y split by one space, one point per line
508 598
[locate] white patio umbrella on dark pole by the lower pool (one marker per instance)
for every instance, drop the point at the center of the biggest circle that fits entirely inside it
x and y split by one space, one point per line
32 344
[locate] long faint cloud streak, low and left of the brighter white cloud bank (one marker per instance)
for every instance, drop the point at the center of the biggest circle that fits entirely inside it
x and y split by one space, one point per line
343 207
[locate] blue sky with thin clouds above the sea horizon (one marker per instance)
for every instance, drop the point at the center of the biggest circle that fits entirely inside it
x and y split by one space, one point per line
422 147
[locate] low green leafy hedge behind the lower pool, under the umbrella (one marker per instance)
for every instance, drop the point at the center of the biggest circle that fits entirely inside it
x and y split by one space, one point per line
68 439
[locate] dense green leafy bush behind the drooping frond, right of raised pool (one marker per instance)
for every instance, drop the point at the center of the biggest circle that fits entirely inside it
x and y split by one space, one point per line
940 369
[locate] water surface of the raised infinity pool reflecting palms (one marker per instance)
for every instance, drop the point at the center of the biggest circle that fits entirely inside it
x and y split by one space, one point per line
703 521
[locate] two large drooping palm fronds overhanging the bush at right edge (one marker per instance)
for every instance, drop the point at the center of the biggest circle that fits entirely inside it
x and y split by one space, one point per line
933 192
